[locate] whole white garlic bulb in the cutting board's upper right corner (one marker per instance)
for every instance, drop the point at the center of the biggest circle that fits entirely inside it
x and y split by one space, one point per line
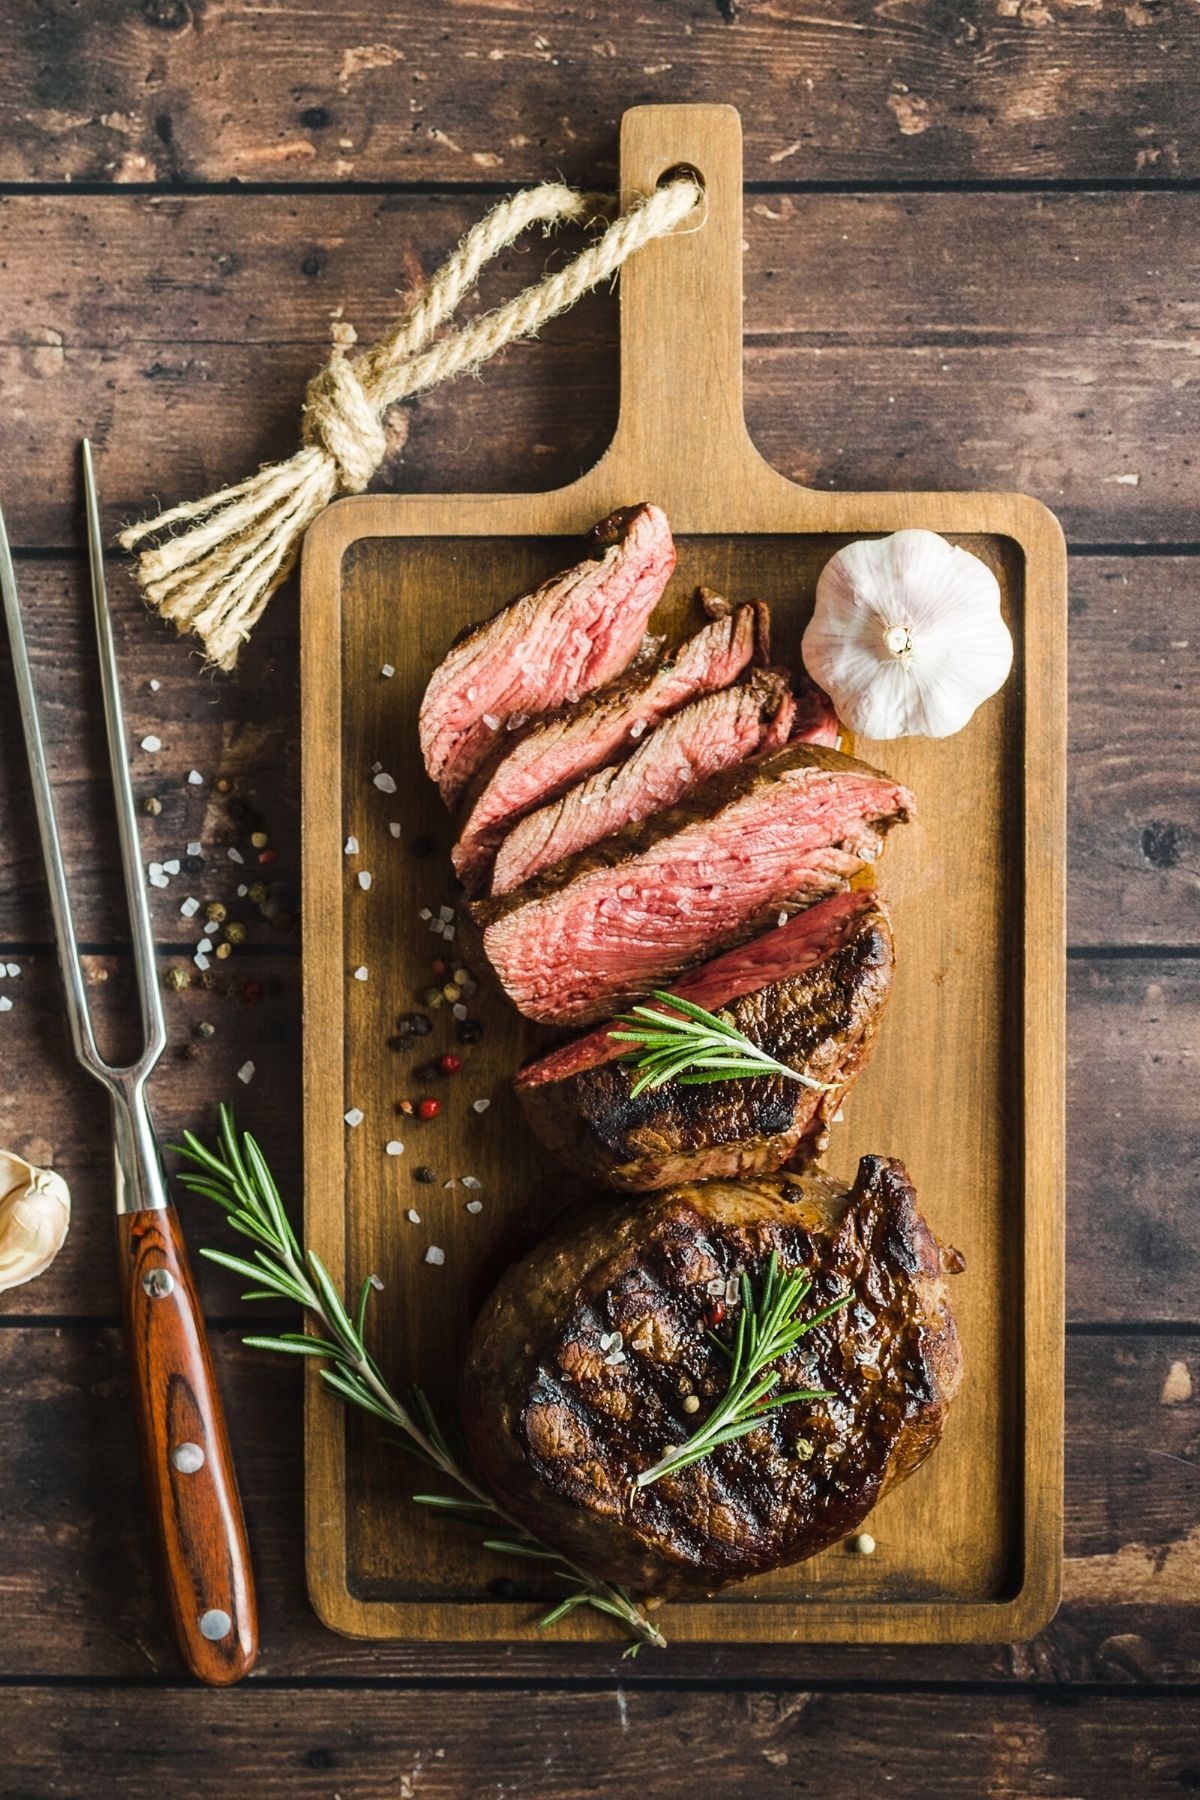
908 636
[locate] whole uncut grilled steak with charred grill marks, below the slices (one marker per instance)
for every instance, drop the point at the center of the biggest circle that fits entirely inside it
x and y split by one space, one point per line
562 1416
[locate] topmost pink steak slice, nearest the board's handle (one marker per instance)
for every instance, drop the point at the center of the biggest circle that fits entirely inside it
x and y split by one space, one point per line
577 633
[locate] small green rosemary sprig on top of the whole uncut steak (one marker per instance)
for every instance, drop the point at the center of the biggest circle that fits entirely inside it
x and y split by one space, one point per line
767 1329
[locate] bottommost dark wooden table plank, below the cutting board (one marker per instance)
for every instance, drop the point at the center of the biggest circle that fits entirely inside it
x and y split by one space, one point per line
555 1745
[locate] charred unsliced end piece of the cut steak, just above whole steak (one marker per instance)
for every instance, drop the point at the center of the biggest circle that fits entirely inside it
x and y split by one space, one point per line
810 994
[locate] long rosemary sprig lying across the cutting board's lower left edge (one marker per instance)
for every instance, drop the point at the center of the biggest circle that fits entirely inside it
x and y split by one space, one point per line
242 1185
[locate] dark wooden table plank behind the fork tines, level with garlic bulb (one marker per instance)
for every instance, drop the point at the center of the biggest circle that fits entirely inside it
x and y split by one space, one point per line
1133 791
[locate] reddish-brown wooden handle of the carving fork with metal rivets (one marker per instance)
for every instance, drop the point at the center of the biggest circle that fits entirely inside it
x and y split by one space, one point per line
188 1471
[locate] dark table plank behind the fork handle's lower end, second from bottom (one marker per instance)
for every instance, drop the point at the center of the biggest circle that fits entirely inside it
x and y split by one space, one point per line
78 1601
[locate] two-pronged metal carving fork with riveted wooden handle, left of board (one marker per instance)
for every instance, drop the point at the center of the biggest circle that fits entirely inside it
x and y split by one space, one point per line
188 1471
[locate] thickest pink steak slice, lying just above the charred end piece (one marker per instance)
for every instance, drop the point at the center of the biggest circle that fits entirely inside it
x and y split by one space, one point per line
775 834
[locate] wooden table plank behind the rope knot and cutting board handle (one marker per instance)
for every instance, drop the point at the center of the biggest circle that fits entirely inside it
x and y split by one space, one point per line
148 321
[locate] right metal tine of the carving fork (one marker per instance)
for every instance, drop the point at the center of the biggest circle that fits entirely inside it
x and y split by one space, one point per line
150 1000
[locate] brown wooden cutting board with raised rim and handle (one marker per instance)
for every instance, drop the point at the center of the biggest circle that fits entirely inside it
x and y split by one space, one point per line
967 1083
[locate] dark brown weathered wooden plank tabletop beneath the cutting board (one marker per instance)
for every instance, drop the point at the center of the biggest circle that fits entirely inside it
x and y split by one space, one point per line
972 260
